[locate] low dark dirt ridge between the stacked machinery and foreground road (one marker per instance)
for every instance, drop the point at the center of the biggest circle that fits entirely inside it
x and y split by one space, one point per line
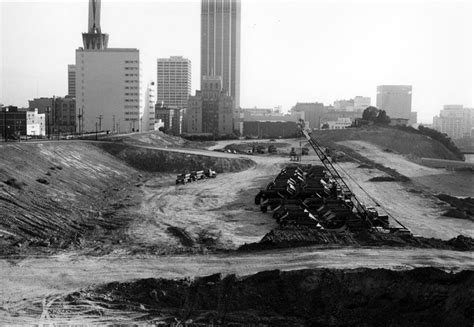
291 236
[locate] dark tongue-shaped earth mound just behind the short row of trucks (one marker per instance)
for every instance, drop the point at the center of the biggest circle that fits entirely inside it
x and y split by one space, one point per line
154 160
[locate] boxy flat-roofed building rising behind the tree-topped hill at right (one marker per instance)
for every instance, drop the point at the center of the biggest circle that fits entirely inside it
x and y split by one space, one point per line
395 100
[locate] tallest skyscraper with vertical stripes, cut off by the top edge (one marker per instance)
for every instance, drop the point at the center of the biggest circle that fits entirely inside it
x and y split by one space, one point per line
220 44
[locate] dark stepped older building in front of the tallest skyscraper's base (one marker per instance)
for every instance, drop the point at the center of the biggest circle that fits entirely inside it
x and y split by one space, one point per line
211 110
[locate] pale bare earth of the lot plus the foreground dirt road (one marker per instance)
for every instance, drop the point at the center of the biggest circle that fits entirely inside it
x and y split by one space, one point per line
225 206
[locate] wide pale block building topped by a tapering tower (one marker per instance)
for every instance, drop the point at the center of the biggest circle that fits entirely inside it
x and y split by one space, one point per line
108 92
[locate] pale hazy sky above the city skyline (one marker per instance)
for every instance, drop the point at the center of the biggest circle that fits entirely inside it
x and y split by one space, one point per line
291 51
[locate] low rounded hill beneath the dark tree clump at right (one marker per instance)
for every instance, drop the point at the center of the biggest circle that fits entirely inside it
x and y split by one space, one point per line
413 145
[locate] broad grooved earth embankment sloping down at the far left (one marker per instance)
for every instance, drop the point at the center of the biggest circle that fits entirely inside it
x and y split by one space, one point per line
52 193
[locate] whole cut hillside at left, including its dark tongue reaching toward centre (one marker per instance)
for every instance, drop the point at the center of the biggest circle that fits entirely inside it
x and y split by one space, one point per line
60 194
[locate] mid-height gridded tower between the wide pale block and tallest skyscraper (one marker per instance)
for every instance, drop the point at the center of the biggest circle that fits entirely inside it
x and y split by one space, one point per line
173 81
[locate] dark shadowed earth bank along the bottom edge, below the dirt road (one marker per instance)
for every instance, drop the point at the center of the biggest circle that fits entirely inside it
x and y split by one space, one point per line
321 297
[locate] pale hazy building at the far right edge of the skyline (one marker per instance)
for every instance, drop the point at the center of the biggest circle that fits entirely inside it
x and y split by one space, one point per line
455 121
